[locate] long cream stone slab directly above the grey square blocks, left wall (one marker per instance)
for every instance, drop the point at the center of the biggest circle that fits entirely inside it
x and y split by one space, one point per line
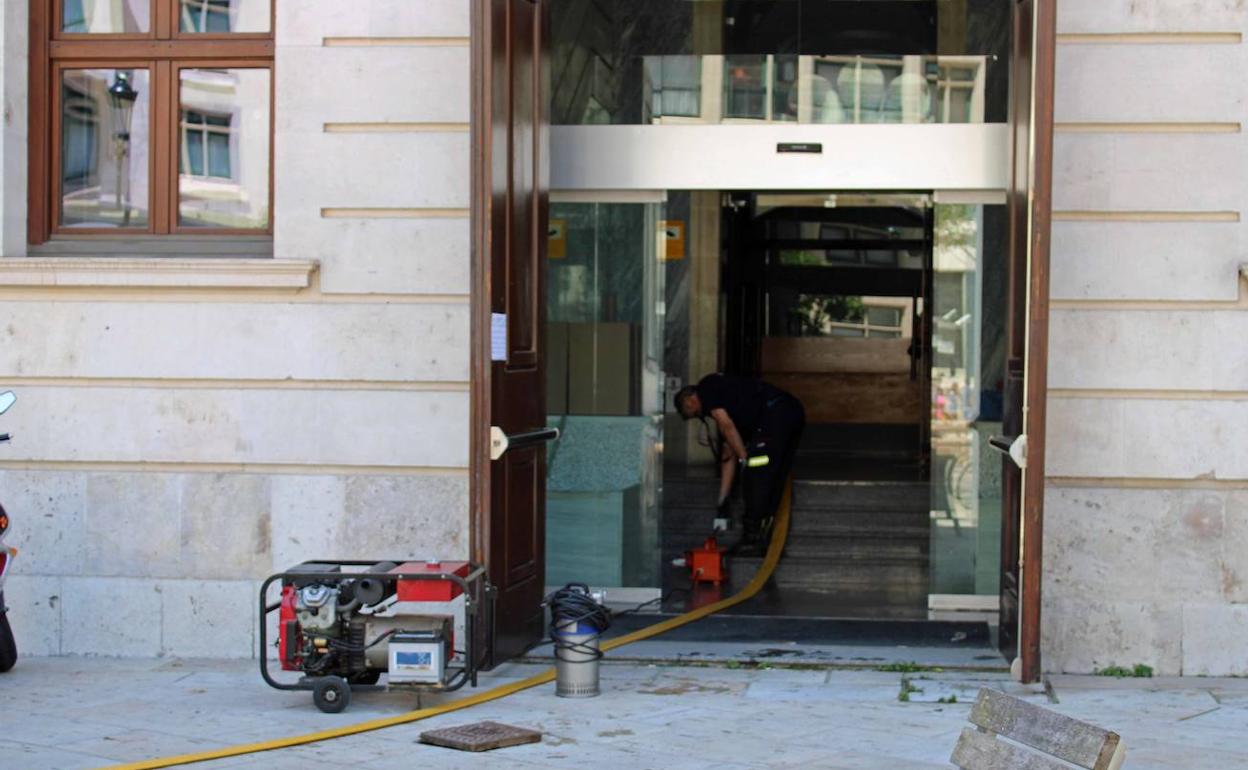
232 426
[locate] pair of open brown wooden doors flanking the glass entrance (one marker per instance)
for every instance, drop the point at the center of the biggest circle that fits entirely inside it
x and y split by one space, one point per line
511 180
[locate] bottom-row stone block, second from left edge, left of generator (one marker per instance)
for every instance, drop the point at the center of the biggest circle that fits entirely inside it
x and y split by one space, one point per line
115 617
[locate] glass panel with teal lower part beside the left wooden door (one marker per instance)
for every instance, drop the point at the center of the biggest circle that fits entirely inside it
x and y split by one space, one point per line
605 392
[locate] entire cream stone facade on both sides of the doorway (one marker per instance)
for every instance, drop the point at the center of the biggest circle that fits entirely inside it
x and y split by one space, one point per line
187 426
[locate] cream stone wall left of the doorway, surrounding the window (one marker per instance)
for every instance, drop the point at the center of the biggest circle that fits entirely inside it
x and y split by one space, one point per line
188 426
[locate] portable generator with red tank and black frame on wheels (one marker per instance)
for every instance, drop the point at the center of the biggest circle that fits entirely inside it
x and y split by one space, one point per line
344 625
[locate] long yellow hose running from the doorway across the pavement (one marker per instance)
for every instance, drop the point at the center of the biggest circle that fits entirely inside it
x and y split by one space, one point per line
769 565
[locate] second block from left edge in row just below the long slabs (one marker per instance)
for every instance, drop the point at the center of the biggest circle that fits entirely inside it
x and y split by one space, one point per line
132 526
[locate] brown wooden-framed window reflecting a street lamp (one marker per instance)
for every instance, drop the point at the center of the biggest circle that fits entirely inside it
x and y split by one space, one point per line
152 118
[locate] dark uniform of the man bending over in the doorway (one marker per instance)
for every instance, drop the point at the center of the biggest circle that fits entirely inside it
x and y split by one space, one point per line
771 422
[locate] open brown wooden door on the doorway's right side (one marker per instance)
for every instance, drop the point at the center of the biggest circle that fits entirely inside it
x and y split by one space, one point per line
1031 124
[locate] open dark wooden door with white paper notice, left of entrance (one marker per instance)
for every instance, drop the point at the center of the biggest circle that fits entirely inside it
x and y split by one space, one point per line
511 142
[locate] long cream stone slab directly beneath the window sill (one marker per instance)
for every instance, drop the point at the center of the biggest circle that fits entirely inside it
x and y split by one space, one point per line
238 341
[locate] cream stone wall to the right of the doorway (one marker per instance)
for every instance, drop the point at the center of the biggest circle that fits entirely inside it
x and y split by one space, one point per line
1146 515
